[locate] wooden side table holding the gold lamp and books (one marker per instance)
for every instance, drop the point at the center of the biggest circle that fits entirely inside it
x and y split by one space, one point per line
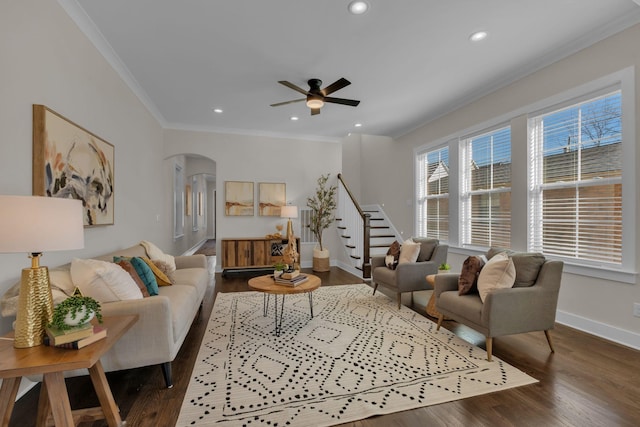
51 362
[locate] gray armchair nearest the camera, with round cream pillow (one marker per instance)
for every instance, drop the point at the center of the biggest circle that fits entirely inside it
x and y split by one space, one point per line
528 306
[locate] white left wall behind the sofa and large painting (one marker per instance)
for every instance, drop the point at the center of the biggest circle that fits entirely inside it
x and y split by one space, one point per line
47 60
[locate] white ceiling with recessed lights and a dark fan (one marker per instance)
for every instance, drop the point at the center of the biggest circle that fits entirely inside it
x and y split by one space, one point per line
409 61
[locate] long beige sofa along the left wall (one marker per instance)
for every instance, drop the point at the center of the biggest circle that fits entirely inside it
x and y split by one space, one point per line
164 320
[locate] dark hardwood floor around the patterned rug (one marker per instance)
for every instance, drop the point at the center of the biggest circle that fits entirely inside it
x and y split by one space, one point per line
587 382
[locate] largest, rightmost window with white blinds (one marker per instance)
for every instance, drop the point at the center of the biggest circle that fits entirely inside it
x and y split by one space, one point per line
576 181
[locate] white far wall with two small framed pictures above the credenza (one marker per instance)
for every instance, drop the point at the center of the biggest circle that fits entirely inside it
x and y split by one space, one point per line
258 159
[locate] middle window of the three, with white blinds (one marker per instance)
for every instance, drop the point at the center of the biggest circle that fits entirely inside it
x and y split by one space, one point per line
485 196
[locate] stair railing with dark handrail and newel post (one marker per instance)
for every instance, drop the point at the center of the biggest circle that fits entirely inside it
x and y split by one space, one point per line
357 225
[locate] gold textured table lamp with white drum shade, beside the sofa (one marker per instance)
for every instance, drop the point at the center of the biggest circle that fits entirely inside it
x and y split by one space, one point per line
35 224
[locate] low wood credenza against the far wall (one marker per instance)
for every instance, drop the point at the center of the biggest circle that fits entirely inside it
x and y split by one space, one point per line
252 252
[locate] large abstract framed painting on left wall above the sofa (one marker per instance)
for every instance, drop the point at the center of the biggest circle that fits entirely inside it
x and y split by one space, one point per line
71 162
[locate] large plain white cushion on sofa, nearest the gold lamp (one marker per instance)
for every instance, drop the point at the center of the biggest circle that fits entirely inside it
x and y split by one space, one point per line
103 281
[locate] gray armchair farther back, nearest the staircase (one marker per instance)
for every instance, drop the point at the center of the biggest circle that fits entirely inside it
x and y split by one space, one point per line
410 277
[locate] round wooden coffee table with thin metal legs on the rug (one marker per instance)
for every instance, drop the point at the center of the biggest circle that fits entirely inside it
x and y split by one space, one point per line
268 286
